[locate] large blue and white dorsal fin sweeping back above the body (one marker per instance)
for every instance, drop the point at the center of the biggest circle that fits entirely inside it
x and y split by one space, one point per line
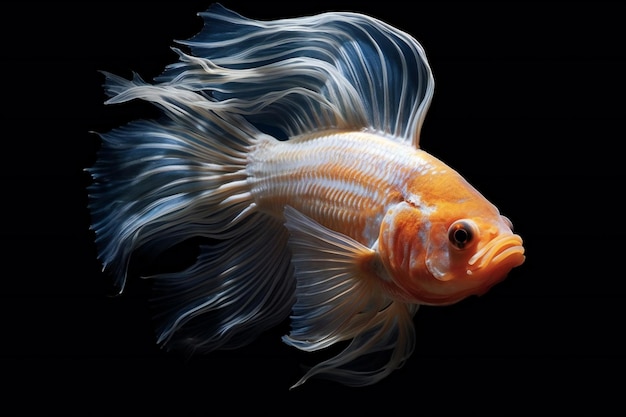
292 76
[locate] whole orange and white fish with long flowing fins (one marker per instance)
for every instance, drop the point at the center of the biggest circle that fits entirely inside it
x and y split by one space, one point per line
292 146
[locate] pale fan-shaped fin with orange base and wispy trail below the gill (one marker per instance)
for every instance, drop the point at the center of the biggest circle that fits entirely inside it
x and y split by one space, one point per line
337 300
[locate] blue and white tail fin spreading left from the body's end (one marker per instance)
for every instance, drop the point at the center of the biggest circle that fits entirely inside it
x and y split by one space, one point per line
158 183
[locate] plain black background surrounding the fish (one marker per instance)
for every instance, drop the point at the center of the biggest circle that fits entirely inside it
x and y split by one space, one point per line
528 105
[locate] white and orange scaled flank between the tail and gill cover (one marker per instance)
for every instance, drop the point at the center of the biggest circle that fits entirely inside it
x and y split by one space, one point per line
334 179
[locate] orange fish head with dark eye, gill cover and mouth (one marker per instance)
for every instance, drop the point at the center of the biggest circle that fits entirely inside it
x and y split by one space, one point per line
444 256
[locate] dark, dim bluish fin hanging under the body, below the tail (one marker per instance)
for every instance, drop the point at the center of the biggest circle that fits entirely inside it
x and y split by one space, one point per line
236 290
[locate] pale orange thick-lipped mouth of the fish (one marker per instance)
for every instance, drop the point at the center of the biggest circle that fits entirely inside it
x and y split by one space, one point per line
504 251
